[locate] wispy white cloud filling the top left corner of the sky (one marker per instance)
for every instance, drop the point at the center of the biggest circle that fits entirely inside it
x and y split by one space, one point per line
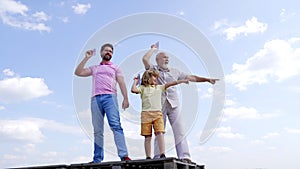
15 14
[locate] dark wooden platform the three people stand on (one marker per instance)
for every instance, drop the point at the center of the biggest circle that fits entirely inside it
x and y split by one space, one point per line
167 163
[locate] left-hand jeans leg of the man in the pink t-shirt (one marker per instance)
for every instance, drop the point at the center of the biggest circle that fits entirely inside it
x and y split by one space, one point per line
97 121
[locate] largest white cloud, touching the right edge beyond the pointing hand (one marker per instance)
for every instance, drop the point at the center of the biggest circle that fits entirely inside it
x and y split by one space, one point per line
278 60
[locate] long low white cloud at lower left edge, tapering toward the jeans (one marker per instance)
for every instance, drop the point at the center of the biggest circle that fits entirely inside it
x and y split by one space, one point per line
31 129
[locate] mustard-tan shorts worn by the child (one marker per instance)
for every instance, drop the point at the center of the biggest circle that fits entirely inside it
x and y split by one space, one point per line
149 119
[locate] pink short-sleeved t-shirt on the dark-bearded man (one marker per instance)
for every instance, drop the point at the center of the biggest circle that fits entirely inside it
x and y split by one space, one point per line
105 78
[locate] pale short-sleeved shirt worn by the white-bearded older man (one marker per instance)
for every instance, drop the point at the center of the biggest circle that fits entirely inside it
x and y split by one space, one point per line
166 76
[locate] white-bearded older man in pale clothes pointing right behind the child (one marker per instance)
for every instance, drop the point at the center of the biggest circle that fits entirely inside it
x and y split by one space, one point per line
170 101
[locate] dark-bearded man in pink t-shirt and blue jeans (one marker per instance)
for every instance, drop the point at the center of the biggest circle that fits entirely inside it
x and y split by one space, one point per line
106 76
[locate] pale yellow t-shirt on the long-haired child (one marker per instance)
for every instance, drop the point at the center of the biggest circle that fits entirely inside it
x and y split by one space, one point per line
151 97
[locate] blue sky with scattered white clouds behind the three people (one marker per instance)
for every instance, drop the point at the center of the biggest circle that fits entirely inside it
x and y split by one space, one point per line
44 108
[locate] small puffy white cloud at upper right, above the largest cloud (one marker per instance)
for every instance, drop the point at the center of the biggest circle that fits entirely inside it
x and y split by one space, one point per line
251 26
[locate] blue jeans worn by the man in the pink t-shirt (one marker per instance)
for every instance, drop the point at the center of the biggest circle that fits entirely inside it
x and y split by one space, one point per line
101 105
